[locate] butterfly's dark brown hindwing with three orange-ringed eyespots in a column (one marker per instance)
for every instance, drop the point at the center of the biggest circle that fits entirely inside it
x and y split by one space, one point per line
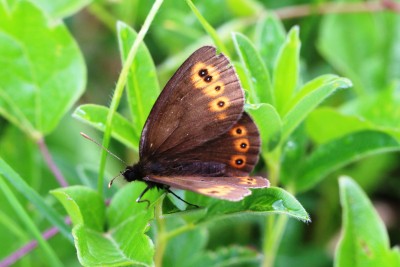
237 149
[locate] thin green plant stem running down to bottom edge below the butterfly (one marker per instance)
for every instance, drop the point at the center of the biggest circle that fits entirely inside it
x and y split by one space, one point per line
161 241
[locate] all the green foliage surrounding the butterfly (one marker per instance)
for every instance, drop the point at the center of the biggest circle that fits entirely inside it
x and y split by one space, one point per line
315 126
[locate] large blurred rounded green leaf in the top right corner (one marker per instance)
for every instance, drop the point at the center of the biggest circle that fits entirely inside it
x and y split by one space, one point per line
372 65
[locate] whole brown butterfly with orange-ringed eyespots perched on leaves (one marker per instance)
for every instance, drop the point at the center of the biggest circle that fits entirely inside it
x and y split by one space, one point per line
197 136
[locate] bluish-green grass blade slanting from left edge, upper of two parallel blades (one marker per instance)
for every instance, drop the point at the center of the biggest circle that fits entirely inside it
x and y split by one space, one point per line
30 194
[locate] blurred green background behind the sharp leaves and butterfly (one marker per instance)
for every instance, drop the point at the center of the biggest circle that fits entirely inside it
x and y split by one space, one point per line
362 46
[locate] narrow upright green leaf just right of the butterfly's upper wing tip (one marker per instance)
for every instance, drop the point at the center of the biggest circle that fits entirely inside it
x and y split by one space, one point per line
256 72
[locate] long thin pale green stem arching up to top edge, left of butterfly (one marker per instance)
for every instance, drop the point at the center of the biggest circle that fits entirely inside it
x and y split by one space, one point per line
120 89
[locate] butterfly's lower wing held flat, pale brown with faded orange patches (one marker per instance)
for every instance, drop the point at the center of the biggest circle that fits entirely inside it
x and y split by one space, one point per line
228 188
